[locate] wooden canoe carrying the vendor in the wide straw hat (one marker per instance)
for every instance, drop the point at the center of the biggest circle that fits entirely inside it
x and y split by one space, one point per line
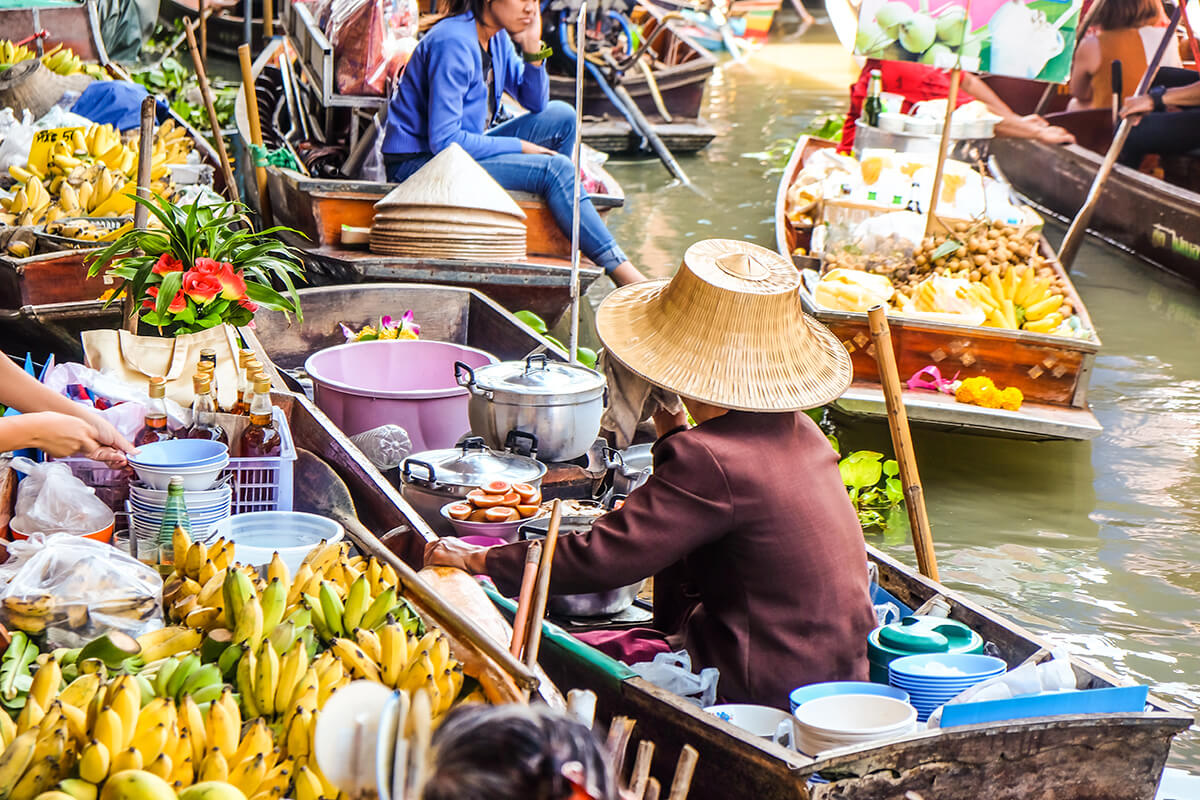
1072 757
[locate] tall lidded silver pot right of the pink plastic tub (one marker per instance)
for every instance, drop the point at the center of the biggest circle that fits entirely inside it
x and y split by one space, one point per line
559 404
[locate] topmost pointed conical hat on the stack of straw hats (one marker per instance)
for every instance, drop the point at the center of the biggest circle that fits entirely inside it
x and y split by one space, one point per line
453 179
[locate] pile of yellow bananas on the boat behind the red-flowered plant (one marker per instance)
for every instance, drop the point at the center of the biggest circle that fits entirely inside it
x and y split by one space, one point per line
91 173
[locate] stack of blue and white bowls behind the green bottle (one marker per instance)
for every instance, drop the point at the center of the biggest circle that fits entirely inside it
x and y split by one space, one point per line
207 496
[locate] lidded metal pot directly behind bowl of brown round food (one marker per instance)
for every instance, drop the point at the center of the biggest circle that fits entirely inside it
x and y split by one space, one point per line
435 478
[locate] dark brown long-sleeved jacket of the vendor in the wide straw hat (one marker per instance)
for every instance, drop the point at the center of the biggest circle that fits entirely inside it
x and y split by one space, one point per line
758 555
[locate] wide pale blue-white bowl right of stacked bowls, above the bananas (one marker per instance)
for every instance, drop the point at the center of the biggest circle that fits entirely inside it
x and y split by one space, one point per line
259 534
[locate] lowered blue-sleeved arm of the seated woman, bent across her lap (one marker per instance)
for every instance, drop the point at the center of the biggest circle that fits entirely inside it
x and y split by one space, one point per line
451 77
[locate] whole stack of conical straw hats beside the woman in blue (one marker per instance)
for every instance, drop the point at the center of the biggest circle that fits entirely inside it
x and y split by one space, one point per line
451 209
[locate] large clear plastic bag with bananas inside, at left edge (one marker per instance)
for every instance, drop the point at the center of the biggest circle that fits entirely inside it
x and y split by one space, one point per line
77 588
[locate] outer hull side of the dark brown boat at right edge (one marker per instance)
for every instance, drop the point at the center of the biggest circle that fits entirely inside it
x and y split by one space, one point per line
1139 214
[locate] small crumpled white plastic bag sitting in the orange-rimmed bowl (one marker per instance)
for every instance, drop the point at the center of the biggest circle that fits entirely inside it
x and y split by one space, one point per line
52 501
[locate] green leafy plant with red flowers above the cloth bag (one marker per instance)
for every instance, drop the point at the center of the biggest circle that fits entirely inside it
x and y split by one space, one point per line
201 269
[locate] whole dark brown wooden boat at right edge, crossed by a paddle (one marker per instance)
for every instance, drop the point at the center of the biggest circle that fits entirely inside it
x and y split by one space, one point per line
1155 219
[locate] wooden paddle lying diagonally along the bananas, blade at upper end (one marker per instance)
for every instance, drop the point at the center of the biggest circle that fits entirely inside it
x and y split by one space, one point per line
319 490
